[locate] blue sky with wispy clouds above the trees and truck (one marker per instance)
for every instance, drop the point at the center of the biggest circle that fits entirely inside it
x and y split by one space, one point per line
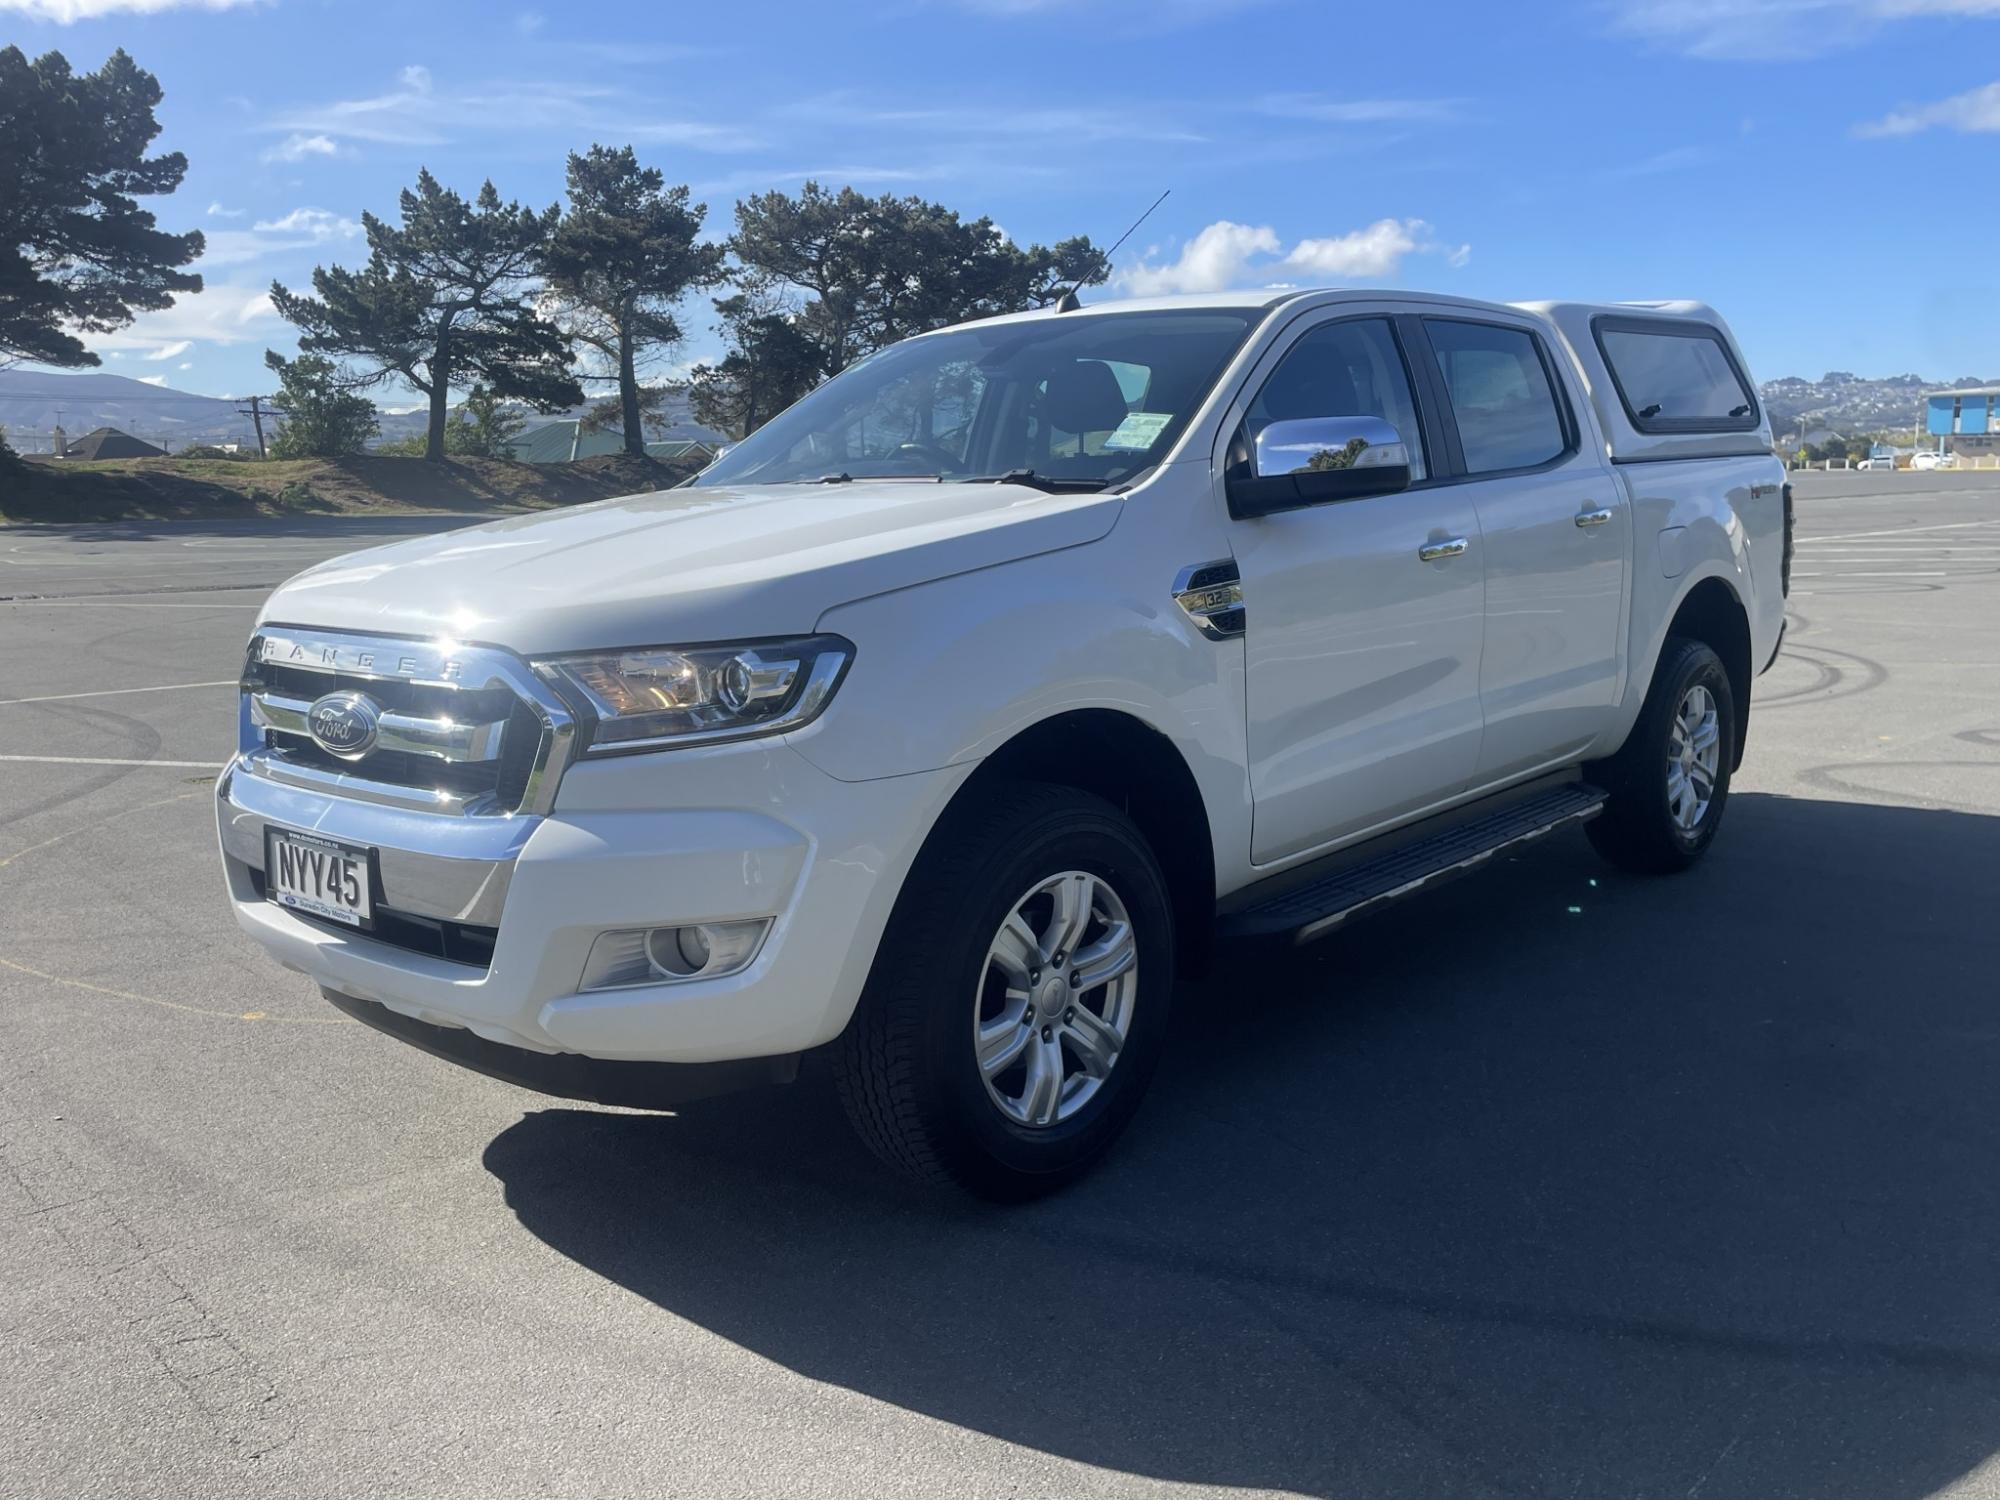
1819 169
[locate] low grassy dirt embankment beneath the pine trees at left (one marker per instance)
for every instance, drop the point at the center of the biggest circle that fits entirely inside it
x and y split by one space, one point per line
207 489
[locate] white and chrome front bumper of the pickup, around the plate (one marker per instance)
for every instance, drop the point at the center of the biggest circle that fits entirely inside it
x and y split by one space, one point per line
703 835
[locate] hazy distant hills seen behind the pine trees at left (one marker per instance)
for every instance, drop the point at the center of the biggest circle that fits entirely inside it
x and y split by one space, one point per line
35 403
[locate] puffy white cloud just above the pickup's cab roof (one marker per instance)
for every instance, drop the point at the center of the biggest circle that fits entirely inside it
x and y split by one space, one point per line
1251 255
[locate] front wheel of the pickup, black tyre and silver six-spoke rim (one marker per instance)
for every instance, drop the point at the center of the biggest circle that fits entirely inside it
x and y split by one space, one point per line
1017 1007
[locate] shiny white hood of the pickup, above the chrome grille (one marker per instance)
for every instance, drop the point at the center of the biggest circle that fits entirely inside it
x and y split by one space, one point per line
683 567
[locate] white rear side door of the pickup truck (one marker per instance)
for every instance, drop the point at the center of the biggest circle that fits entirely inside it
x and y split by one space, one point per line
1557 533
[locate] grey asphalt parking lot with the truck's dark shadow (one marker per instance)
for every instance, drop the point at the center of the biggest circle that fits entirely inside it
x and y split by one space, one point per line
1557 1183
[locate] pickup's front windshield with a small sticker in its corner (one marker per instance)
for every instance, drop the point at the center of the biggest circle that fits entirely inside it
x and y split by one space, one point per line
1087 399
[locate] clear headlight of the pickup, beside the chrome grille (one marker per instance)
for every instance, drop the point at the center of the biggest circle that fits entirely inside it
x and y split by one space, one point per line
659 697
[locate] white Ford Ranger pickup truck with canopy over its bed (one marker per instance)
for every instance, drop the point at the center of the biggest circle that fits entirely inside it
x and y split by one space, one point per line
951 719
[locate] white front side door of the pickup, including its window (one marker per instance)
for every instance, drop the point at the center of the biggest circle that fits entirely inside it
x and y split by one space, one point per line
1365 617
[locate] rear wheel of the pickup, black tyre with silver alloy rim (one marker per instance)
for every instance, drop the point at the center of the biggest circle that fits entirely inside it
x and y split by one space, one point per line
1671 781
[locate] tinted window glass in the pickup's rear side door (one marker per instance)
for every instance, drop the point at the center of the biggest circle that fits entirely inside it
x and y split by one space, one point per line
1503 399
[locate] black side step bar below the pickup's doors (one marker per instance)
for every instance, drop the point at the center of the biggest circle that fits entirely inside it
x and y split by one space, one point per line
1319 907
